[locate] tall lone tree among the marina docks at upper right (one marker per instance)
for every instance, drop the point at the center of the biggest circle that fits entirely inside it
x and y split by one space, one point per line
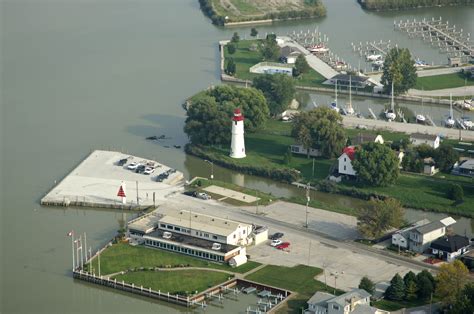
399 68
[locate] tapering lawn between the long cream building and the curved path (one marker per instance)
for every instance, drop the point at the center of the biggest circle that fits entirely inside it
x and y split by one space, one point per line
123 256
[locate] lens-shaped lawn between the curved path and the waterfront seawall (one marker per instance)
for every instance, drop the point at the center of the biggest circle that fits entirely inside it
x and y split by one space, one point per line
180 282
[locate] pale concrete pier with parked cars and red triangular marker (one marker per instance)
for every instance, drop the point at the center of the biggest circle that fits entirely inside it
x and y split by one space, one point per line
96 180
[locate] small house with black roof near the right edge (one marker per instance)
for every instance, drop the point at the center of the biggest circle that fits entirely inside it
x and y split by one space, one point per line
449 247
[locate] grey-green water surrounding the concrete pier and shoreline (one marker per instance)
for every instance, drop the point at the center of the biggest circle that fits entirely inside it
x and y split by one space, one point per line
81 75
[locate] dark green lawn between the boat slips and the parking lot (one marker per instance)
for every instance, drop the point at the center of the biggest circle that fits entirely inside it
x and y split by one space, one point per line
298 279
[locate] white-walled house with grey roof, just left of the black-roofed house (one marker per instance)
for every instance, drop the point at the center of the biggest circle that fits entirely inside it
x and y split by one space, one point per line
421 237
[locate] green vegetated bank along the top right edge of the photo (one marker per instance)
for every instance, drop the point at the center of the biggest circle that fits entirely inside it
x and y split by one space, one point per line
408 4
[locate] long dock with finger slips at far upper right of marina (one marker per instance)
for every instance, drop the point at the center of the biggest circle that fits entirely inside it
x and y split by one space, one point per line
440 34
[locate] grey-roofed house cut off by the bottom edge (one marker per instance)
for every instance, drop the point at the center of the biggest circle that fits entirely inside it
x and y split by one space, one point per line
356 301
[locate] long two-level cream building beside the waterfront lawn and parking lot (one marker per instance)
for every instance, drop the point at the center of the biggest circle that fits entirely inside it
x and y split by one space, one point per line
203 236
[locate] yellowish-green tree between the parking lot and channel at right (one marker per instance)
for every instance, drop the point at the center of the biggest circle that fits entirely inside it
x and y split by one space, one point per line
379 216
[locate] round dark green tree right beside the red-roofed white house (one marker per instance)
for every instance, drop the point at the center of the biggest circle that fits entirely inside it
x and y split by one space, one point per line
376 164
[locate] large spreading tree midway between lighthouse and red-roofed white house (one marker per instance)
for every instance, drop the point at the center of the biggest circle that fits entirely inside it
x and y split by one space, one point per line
325 129
